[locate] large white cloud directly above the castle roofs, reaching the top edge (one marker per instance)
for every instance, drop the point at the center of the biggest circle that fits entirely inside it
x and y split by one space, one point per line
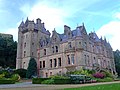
55 12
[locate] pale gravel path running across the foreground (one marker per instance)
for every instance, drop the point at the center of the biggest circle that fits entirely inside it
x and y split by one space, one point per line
30 86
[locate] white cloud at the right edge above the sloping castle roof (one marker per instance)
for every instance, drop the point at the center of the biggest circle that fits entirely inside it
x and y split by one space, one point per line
111 31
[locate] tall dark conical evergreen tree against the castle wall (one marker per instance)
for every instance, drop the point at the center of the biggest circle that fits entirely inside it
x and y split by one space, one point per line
32 68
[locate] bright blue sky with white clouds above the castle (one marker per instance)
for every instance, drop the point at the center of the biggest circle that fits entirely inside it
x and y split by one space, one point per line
100 16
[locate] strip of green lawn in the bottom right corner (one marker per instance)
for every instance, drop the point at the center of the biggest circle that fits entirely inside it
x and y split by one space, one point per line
115 86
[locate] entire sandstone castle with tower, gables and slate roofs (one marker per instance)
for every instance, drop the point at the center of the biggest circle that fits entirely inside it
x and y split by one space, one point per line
60 53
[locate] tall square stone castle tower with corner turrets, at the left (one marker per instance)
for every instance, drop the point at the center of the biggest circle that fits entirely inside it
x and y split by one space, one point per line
29 36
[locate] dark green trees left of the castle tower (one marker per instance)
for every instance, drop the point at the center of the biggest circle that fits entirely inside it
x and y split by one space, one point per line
8 50
